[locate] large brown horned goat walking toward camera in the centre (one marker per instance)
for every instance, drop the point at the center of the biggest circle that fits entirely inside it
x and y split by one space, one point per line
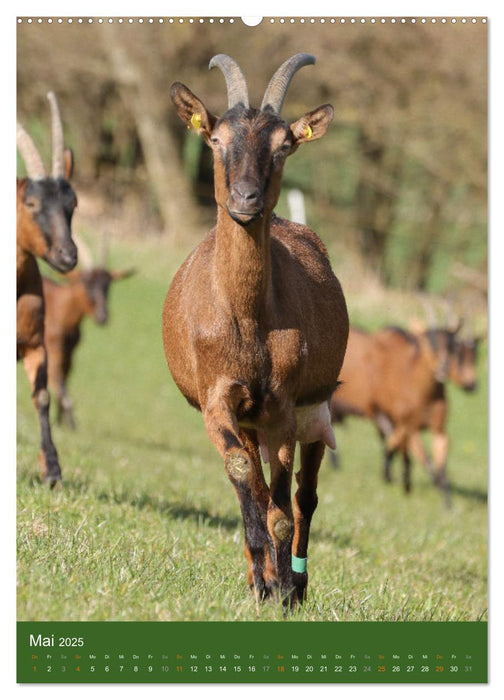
255 325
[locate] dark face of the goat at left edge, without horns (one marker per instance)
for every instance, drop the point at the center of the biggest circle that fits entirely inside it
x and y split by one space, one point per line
48 205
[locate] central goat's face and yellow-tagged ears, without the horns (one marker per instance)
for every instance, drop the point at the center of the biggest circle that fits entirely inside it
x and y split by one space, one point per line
250 147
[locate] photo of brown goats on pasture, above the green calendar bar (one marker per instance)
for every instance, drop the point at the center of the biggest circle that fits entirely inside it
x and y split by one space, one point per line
252 370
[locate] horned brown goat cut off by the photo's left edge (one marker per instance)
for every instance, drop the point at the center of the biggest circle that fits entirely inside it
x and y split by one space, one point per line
45 205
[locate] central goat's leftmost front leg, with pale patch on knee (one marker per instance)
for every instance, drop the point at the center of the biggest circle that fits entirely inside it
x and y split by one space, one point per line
240 452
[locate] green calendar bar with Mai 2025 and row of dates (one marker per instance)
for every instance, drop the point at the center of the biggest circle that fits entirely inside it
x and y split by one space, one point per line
248 652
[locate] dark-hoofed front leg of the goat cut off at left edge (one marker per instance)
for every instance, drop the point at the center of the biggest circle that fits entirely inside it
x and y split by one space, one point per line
35 363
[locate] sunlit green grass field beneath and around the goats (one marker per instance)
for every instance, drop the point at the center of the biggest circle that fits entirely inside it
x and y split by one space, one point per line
146 525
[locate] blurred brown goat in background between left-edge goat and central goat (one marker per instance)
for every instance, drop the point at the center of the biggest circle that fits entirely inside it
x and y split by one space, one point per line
84 294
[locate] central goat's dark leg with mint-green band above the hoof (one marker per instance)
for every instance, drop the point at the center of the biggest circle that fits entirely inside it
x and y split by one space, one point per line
305 503
